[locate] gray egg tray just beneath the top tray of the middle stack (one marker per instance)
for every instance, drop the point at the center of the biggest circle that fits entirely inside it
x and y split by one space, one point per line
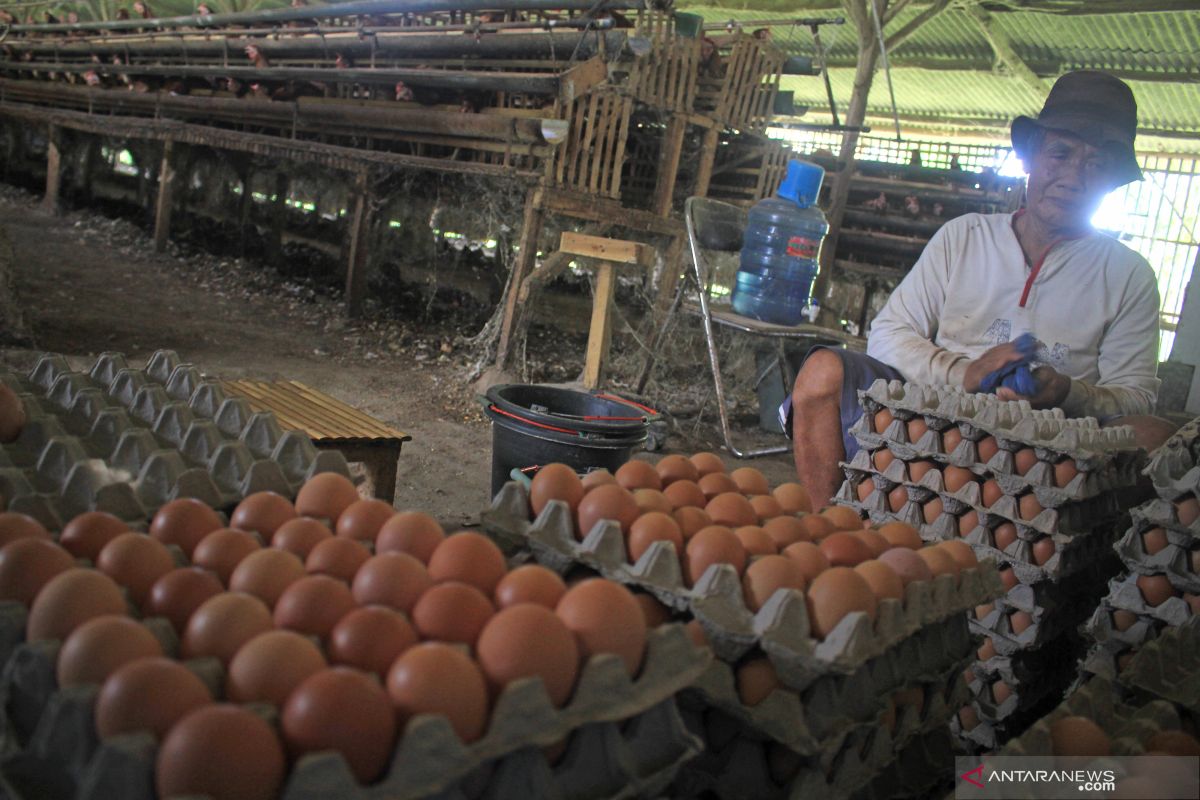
819 719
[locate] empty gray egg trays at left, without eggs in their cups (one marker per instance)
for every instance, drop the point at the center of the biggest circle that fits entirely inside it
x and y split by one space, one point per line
128 441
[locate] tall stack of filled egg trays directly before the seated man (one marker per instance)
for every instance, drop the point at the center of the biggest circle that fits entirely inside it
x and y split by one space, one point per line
1065 510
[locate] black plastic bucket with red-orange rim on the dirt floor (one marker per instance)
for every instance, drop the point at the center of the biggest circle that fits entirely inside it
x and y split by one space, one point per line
536 425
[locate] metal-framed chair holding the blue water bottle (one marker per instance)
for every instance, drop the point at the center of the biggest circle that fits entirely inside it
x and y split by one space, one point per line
716 226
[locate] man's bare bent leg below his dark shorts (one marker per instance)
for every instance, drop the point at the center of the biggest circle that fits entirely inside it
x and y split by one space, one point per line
817 426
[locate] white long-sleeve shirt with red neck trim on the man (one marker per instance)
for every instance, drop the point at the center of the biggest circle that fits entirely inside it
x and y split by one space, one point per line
1094 309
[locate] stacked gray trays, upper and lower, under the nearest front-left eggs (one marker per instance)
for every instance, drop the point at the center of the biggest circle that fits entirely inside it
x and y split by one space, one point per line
626 737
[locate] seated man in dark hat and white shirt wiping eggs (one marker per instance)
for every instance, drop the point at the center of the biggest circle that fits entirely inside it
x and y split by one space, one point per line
1090 303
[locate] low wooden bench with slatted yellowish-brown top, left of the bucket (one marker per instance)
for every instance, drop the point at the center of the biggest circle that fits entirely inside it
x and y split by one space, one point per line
332 425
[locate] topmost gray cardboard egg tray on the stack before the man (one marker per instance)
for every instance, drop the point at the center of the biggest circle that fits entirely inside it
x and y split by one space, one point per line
1013 424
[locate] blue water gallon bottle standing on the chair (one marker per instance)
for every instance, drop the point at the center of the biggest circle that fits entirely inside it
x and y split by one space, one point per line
781 250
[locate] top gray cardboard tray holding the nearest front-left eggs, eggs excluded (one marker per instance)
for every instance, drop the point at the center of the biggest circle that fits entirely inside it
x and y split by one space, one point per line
430 759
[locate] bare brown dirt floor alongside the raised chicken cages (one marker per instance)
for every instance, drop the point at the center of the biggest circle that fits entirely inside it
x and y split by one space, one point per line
89 285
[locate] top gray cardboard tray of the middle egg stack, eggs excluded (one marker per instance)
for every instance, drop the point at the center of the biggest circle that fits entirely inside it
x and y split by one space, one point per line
781 628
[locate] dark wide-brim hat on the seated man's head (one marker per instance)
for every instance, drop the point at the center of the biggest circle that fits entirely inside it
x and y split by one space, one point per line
1094 106
